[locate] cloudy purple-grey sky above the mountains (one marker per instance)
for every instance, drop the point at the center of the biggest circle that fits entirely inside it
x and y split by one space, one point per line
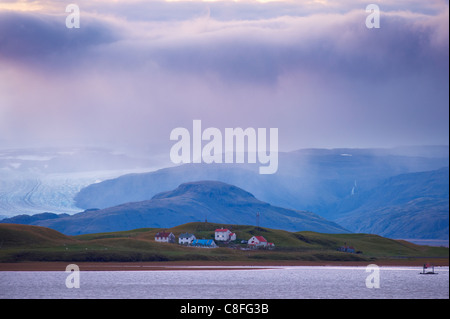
136 69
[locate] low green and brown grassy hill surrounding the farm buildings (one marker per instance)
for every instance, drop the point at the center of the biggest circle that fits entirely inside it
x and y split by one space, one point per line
34 243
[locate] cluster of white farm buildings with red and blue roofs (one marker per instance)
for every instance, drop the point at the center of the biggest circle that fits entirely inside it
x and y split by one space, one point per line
221 234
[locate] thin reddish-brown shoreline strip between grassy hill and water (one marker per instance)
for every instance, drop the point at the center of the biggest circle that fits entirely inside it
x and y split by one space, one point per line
211 265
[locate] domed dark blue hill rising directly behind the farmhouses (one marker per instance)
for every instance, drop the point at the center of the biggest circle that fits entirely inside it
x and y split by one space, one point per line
196 201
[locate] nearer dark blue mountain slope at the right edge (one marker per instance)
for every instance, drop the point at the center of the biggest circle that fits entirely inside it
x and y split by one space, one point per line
414 205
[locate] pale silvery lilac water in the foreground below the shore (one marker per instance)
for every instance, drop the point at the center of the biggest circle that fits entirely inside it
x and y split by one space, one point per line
278 283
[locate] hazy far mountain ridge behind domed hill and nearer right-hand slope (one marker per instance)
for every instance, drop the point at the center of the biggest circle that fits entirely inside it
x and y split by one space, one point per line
311 179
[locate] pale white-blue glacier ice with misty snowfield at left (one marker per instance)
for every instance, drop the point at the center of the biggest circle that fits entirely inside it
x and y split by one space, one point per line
36 180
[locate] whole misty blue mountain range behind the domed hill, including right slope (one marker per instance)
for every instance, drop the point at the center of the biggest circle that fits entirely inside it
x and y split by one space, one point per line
331 183
